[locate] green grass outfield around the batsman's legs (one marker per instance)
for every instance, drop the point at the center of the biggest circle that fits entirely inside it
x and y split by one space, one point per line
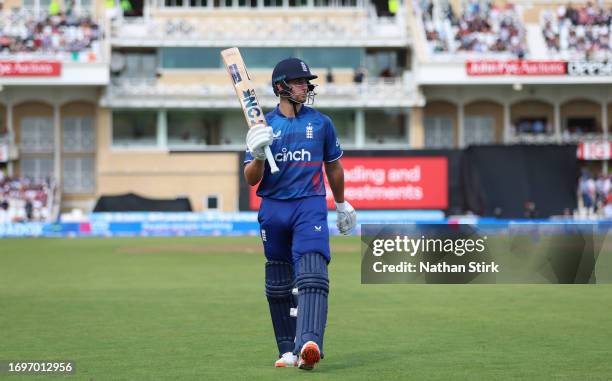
194 309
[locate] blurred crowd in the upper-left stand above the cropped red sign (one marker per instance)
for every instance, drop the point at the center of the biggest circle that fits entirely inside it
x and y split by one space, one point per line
52 34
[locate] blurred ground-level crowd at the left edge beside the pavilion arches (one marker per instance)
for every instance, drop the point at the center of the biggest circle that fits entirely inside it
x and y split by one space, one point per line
23 200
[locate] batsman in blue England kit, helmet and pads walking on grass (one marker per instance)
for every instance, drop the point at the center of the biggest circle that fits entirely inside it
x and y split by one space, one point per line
293 211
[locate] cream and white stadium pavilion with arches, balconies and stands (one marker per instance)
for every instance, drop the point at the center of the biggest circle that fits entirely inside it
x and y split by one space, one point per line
131 96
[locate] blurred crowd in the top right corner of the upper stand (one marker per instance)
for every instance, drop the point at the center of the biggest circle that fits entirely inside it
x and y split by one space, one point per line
584 29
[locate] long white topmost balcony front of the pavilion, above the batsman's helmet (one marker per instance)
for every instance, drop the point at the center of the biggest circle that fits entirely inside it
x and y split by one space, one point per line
296 29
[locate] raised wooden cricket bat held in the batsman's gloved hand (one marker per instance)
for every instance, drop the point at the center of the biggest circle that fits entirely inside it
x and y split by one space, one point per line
246 94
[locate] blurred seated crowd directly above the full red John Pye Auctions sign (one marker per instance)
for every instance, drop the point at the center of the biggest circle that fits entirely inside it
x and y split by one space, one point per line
480 28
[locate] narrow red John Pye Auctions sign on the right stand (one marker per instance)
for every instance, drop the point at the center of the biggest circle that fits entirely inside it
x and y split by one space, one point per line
515 67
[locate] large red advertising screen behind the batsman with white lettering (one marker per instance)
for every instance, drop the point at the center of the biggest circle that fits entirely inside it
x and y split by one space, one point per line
390 183
